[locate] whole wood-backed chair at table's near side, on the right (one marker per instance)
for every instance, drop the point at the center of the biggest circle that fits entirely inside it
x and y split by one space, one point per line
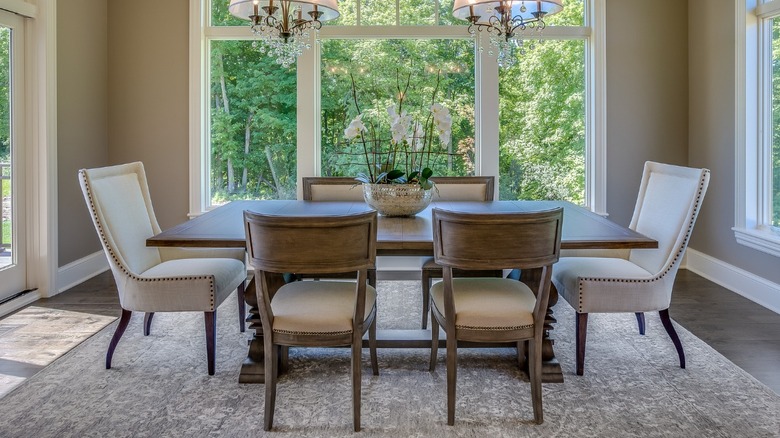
493 309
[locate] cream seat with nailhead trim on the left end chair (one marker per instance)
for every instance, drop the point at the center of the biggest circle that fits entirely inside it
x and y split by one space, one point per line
191 276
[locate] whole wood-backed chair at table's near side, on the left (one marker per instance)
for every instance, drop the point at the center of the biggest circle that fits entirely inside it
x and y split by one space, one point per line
313 313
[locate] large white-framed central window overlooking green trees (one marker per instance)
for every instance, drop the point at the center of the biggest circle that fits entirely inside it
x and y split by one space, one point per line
534 125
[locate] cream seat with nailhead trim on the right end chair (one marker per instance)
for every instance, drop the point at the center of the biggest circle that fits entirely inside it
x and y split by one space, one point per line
602 284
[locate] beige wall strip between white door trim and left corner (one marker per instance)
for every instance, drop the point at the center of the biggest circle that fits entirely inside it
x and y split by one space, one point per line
82 106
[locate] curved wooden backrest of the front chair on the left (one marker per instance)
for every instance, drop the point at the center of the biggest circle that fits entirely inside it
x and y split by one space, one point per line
311 244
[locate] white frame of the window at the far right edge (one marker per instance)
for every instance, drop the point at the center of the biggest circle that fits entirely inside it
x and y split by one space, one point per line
753 191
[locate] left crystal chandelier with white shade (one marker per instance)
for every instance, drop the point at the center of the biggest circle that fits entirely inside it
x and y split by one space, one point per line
283 26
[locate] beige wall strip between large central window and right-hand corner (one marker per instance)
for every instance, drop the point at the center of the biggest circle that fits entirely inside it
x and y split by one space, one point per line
647 95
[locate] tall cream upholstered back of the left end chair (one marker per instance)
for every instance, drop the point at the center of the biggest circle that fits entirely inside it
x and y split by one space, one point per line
121 209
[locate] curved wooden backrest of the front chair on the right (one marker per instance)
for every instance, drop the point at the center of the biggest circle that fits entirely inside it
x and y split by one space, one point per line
523 240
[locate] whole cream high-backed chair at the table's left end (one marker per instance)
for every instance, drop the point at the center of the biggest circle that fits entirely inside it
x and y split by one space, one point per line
155 279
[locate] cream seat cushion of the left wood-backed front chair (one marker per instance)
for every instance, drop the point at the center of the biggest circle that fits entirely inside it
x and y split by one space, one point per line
317 307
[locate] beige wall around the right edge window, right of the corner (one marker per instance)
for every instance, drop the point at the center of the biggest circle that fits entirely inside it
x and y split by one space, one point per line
712 131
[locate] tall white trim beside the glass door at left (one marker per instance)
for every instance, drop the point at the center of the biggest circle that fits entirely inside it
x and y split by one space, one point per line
42 236
